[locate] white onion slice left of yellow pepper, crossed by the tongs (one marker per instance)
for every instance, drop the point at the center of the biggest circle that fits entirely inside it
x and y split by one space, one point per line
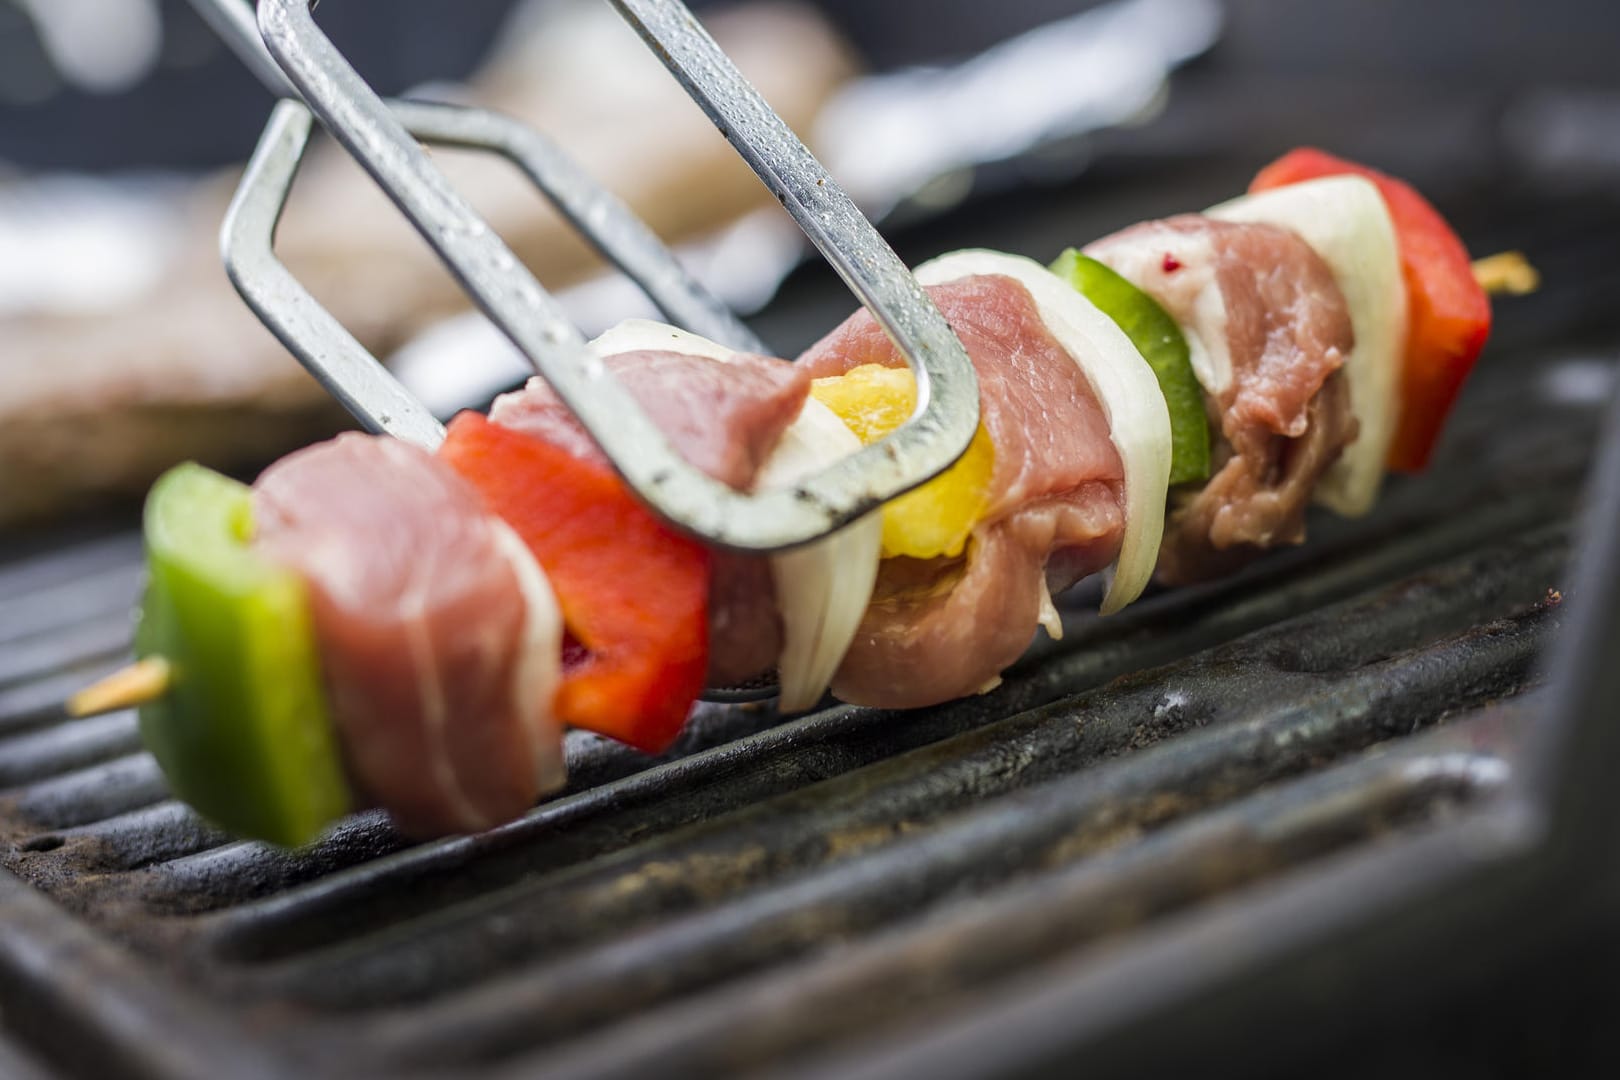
822 589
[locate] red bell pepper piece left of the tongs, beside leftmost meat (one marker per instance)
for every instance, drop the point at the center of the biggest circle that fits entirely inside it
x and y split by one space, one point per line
634 593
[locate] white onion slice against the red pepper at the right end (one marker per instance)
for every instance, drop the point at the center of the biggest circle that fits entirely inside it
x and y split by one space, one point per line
1349 226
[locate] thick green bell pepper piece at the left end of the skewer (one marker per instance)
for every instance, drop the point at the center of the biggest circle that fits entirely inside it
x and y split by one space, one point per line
244 734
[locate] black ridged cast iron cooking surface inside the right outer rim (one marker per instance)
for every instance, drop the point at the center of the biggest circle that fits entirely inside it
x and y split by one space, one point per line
819 891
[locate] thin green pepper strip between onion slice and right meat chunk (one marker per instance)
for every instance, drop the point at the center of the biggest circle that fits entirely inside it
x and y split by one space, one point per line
1166 351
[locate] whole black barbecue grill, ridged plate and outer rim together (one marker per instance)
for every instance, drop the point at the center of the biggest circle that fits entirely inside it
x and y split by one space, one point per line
1347 810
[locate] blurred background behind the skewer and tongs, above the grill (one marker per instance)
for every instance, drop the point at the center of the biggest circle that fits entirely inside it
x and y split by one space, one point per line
1026 125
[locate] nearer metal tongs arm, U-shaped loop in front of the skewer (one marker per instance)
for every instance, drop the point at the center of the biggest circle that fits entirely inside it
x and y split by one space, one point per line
949 401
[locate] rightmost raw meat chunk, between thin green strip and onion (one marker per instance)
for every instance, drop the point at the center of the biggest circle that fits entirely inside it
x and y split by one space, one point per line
1269 331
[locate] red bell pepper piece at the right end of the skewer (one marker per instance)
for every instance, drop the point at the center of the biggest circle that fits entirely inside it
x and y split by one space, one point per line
1447 310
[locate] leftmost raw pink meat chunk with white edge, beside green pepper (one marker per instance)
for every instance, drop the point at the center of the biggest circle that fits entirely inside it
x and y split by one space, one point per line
438 634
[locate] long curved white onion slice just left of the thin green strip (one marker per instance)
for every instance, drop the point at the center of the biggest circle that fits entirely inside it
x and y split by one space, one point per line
1125 388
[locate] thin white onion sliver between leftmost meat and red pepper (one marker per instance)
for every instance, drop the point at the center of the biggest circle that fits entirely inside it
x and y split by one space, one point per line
540 665
